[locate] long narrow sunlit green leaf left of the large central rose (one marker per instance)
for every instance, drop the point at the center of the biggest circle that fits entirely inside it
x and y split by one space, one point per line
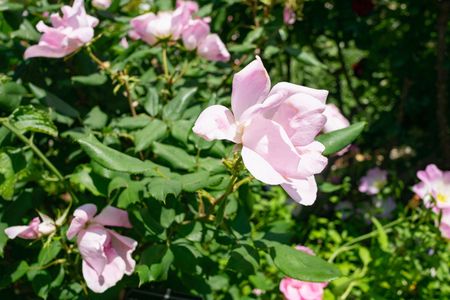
113 159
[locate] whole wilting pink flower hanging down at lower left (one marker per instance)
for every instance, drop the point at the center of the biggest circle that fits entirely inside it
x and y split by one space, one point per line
106 254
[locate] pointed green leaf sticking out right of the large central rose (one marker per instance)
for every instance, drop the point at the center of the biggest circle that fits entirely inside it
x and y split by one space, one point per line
337 140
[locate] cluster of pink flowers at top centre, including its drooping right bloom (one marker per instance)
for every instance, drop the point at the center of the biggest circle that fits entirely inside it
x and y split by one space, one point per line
180 24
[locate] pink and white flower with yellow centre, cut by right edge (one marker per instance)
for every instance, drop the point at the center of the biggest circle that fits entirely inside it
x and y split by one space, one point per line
434 190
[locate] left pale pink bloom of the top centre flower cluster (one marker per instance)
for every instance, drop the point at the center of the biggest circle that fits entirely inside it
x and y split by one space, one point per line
152 28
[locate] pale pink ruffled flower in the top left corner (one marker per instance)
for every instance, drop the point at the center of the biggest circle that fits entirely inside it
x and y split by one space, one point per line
69 32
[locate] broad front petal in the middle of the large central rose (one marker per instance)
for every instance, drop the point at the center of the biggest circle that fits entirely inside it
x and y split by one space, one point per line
269 140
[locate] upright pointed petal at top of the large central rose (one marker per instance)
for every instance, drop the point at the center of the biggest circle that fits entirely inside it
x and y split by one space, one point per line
250 86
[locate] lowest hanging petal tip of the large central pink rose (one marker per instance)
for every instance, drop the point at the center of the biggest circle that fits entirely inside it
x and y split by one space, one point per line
303 191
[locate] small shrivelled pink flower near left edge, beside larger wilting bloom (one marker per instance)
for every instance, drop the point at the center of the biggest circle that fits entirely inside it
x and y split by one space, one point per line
34 230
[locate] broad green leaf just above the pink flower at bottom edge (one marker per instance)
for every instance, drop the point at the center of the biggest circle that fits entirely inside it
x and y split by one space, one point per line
299 265
